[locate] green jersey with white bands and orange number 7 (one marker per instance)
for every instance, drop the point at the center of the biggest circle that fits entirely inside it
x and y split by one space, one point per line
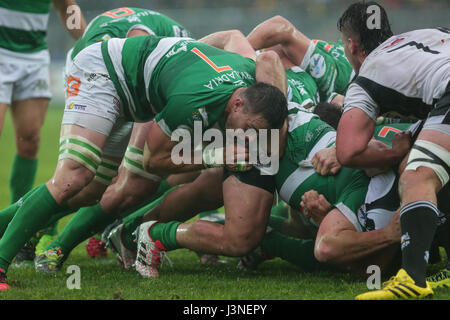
178 79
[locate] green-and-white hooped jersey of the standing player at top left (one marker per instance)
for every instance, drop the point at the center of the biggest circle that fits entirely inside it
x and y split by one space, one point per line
23 25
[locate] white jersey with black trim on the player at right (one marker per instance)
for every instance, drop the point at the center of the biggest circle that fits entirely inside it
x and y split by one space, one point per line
406 74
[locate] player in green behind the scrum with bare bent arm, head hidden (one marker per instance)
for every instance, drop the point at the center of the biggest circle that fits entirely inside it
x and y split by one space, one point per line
324 61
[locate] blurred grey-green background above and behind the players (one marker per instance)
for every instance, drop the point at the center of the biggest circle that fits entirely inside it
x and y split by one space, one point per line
315 18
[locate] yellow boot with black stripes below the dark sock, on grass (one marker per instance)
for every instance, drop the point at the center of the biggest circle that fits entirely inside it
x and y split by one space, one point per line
400 286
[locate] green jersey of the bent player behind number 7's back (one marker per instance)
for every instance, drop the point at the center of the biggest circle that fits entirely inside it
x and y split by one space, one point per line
117 23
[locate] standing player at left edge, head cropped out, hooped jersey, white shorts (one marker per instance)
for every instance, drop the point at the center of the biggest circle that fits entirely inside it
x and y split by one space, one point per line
25 82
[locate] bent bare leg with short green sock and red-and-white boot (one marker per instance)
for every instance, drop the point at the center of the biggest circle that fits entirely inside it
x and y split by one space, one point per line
242 231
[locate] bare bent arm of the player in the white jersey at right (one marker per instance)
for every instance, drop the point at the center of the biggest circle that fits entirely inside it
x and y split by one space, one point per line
353 149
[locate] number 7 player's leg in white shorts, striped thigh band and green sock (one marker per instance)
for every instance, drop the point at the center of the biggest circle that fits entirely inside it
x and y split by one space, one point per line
88 119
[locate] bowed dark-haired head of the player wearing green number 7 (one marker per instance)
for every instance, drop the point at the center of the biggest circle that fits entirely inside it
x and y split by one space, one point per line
260 106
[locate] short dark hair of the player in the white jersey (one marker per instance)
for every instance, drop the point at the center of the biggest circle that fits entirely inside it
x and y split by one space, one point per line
354 22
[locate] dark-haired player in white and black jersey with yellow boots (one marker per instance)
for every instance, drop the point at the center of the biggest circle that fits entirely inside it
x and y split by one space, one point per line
408 74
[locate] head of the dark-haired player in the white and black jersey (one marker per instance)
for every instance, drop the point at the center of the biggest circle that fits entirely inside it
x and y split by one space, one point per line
364 26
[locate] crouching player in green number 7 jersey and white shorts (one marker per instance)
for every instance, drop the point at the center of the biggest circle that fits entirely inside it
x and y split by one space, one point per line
174 79
